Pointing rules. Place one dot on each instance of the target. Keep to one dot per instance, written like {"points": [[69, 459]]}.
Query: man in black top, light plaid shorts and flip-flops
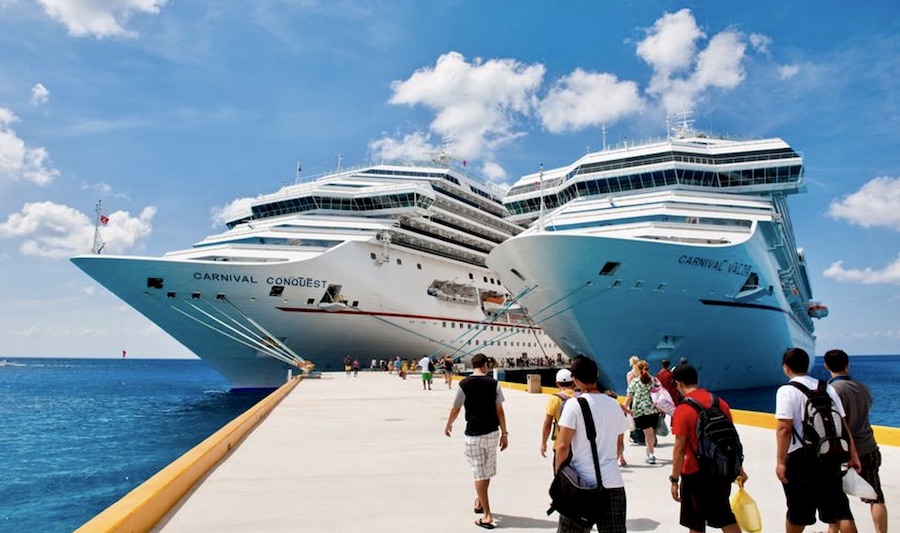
{"points": [[482, 399]]}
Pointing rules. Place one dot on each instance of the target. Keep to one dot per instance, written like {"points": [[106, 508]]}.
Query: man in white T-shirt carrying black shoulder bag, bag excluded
{"points": [[610, 422]]}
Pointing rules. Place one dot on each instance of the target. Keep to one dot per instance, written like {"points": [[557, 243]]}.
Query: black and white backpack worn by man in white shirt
{"points": [[823, 438]]}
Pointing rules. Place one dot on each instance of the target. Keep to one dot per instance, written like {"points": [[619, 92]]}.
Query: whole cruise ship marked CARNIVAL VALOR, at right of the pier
{"points": [[678, 248]]}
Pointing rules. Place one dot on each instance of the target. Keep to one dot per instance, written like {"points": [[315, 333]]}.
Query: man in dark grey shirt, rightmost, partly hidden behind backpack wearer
{"points": [[857, 401]]}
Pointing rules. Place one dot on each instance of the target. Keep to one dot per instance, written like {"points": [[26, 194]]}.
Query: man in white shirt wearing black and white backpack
{"points": [[812, 443]]}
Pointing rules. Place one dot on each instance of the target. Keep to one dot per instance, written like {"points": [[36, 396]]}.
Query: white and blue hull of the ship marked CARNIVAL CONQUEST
{"points": [[210, 308]]}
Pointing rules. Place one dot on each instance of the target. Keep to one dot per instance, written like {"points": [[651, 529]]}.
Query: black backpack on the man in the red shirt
{"points": [[719, 451]]}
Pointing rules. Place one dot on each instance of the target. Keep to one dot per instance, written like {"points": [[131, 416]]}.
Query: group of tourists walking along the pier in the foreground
{"points": [[707, 454]]}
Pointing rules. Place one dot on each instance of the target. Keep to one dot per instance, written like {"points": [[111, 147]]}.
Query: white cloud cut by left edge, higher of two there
{"points": [[19, 161]]}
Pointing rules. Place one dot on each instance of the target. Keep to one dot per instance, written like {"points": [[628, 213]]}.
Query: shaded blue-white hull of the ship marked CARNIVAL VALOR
{"points": [[663, 300]]}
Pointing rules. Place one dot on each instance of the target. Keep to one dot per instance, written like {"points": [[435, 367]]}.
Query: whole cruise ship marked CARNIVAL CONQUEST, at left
{"points": [[373, 262]]}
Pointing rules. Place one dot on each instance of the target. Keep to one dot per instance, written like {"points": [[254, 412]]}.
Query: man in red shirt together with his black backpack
{"points": [[707, 457]]}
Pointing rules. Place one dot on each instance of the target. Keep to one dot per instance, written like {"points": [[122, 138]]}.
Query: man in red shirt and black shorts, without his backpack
{"points": [[704, 501]]}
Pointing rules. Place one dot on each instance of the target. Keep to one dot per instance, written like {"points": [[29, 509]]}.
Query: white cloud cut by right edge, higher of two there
{"points": [[877, 203]]}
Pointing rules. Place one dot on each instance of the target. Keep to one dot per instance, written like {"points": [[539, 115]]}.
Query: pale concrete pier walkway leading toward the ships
{"points": [[368, 454]]}
